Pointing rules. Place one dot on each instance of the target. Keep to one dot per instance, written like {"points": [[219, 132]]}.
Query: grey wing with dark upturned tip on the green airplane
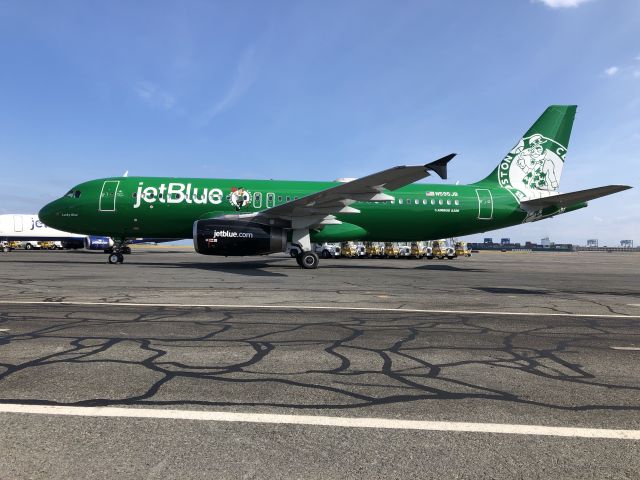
{"points": [[321, 206]]}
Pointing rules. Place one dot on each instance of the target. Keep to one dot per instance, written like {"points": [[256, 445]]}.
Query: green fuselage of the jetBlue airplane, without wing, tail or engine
{"points": [[126, 207]]}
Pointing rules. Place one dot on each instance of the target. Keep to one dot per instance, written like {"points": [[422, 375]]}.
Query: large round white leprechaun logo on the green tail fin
{"points": [[534, 165]]}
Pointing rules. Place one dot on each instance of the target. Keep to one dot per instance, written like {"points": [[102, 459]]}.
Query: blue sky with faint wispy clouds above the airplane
{"points": [[318, 90]]}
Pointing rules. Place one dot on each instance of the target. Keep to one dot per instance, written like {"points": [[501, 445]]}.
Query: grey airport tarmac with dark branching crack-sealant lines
{"points": [[179, 365]]}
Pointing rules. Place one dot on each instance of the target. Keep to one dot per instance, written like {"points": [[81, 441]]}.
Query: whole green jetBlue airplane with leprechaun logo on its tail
{"points": [[258, 217]]}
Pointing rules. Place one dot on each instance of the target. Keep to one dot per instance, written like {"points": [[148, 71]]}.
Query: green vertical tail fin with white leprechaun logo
{"points": [[533, 167]]}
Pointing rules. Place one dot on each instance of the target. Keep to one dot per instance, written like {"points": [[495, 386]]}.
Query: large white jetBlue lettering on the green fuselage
{"points": [[177, 193]]}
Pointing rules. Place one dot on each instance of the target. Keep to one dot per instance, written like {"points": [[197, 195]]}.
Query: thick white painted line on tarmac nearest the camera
{"points": [[323, 421]]}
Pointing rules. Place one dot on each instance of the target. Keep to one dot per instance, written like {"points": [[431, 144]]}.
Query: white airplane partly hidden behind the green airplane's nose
{"points": [[30, 227]]}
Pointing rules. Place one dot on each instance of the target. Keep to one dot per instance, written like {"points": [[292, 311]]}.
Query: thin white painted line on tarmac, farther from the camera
{"points": [[318, 307]]}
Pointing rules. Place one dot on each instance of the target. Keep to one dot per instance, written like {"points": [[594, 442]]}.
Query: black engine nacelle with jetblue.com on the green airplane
{"points": [[232, 237]]}
